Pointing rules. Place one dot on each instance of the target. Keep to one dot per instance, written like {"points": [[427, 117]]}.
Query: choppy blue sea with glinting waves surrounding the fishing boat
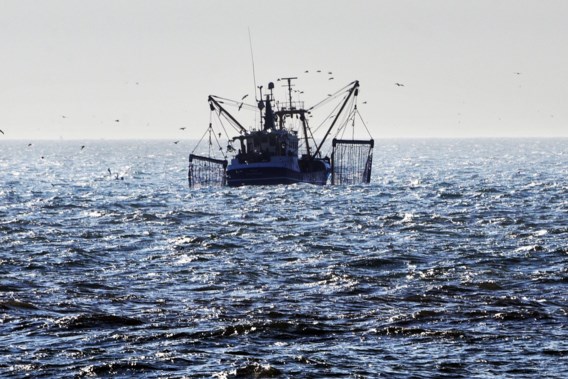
{"points": [[452, 263]]}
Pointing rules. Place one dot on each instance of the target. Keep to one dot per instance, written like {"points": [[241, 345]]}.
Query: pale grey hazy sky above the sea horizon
{"points": [[70, 68]]}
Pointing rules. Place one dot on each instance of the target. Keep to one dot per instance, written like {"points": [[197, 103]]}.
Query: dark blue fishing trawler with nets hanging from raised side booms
{"points": [[282, 147]]}
